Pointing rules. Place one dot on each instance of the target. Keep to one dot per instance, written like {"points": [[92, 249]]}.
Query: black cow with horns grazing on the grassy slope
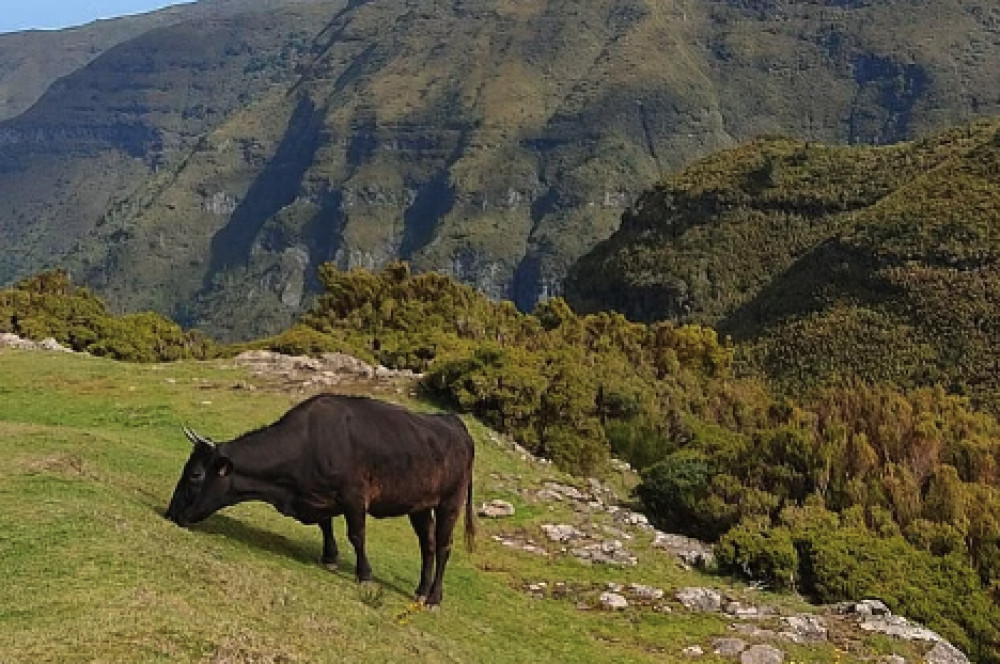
{"points": [[334, 455]]}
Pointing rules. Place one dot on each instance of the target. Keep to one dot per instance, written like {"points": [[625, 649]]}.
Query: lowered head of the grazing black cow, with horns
{"points": [[205, 485]]}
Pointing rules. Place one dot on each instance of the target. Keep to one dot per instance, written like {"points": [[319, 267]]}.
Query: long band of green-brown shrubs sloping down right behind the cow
{"points": [[719, 456]]}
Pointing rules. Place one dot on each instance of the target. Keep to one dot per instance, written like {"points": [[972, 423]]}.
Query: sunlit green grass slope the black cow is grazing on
{"points": [[89, 453]]}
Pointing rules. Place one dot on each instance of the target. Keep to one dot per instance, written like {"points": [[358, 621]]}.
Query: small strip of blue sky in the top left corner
{"points": [[52, 14]]}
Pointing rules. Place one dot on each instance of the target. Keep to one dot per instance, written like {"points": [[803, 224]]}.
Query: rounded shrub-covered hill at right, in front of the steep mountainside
{"points": [[824, 262]]}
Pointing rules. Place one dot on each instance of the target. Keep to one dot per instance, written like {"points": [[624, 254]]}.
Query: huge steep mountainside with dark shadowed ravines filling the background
{"points": [[206, 166]]}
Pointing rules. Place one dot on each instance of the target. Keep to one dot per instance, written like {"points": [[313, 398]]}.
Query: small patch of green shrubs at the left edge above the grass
{"points": [[48, 305]]}
